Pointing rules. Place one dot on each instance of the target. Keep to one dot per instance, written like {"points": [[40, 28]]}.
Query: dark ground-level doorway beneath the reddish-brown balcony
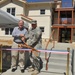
{"points": [[65, 35]]}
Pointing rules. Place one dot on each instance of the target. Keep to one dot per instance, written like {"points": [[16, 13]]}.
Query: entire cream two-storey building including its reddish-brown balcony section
{"points": [[49, 15]]}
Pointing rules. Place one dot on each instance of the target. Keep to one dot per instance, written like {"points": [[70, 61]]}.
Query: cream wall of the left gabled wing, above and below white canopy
{"points": [[19, 10]]}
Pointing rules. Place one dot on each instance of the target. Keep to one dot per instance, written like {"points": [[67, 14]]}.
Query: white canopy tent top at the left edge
{"points": [[8, 20]]}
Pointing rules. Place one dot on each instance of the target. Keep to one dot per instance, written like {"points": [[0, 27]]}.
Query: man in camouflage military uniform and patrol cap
{"points": [[35, 41]]}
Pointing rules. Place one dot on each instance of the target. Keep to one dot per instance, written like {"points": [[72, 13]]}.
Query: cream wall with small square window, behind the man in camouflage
{"points": [[43, 20]]}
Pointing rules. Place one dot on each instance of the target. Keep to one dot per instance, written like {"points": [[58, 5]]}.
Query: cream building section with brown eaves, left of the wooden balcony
{"points": [[40, 11]]}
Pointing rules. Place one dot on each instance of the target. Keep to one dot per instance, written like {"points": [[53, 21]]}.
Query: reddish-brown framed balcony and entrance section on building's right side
{"points": [[63, 22]]}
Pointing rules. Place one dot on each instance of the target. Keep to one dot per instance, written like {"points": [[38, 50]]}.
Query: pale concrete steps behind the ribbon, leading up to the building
{"points": [[57, 62]]}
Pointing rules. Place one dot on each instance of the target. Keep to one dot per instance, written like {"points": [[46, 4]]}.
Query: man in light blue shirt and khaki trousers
{"points": [[18, 33]]}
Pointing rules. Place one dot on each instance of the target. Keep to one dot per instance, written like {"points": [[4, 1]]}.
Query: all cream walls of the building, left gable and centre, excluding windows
{"points": [[32, 11]]}
